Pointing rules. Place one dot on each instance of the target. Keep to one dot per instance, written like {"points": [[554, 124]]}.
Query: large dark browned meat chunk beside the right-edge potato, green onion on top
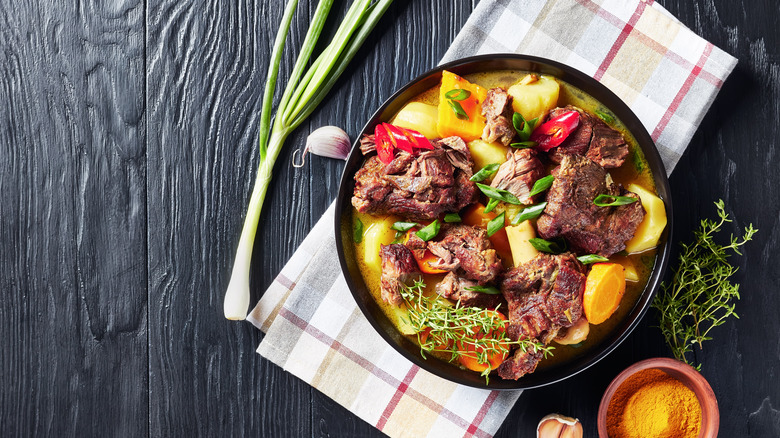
{"points": [[570, 211]]}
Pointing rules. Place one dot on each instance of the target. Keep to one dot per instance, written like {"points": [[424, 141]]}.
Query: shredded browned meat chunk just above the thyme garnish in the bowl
{"points": [[467, 251]]}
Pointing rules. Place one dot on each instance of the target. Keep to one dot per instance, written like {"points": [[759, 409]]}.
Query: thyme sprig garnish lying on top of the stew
{"points": [[446, 328]]}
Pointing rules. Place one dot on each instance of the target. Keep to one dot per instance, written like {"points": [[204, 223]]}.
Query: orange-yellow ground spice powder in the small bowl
{"points": [[653, 404]]}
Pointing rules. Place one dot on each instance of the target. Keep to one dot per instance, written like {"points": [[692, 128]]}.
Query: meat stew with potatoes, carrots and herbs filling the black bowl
{"points": [[505, 221]]}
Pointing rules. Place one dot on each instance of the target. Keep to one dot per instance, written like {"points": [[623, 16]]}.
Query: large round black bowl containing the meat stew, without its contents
{"points": [[344, 233]]}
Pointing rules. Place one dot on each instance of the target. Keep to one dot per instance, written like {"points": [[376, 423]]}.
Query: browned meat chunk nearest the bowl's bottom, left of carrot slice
{"points": [[543, 296]]}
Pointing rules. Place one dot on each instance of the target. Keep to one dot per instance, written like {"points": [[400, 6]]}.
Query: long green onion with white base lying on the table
{"points": [[306, 88]]}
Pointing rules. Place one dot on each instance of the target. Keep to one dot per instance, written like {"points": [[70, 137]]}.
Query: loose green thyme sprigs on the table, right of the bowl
{"points": [[700, 296]]}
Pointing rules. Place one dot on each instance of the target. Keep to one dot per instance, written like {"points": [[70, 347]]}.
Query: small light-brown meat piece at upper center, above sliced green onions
{"points": [[518, 174]]}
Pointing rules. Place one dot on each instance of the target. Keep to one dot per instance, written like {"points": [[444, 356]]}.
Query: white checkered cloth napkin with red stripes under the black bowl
{"points": [[314, 329]]}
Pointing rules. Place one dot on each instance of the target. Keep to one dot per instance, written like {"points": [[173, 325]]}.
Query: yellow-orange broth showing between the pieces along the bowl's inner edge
{"points": [[635, 170]]}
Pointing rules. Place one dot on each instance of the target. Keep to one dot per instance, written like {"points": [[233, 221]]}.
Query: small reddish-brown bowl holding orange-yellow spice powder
{"points": [[710, 417]]}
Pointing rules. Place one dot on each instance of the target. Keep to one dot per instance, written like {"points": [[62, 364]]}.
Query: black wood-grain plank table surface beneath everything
{"points": [[128, 135]]}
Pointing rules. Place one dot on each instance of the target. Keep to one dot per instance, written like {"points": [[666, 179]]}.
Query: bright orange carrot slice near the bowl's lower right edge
{"points": [[604, 288]]}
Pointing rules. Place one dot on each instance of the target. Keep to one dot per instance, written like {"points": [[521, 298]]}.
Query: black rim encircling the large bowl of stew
{"points": [[616, 106]]}
